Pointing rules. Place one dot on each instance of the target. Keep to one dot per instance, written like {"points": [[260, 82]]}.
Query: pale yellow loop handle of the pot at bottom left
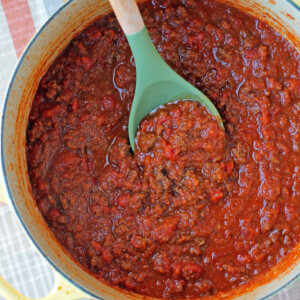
{"points": [[62, 289]]}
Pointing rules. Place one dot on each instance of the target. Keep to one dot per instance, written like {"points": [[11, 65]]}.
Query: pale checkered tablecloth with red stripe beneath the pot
{"points": [[20, 263]]}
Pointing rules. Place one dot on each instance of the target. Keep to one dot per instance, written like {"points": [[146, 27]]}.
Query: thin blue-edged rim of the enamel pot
{"points": [[2, 160]]}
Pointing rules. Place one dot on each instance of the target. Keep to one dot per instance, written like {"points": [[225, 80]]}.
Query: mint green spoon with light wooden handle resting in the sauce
{"points": [[156, 82]]}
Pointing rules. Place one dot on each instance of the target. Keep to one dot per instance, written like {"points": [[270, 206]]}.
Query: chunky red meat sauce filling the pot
{"points": [[196, 211]]}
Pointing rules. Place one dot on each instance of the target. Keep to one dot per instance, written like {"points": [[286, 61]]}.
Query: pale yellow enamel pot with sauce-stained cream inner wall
{"points": [[72, 282]]}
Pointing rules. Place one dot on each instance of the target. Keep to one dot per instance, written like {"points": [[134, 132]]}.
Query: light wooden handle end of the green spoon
{"points": [[128, 15]]}
